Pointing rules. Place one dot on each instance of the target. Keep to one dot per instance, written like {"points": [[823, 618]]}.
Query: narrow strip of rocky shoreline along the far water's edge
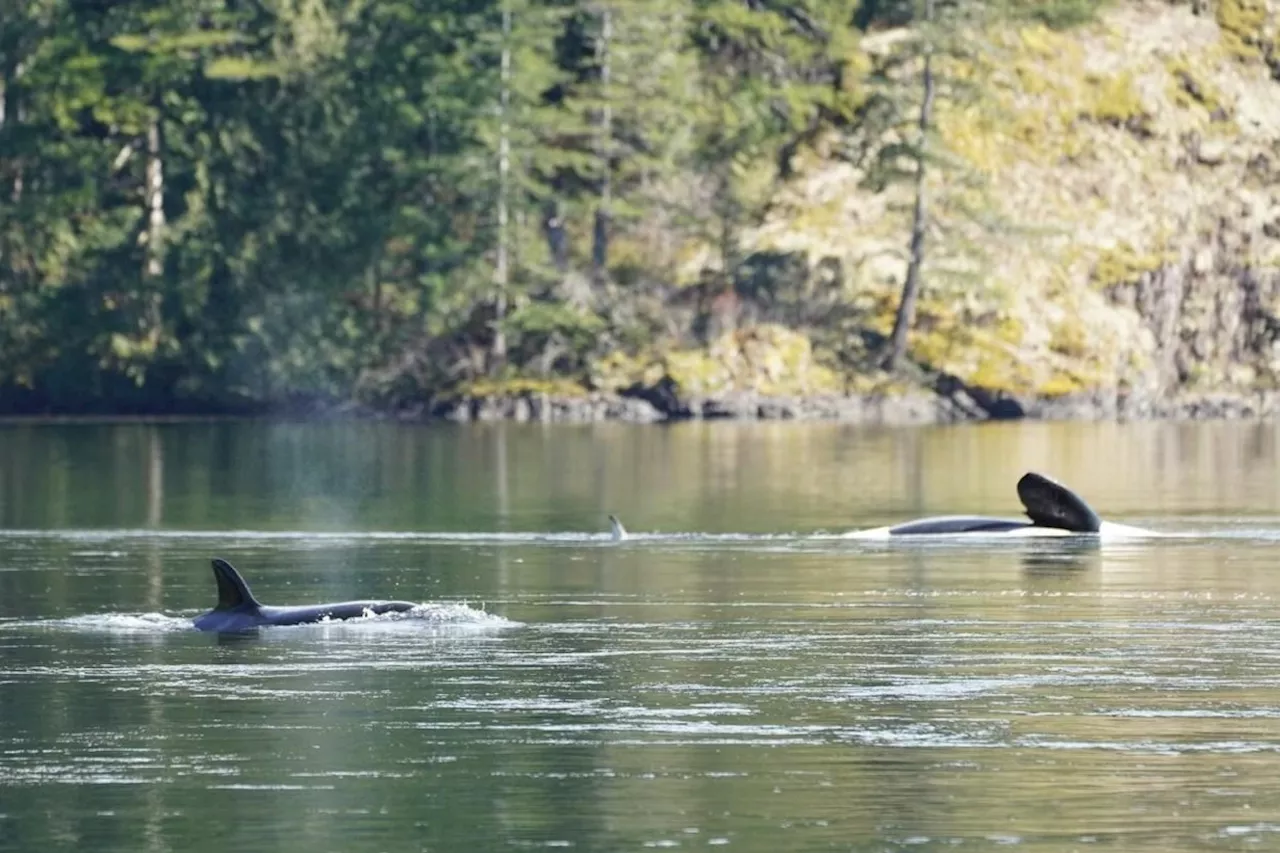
{"points": [[911, 409]]}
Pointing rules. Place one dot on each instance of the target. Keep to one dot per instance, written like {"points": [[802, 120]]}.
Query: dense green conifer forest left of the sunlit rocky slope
{"points": [[230, 204]]}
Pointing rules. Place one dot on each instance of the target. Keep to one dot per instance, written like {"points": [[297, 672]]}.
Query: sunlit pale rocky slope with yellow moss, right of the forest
{"points": [[1137, 161]]}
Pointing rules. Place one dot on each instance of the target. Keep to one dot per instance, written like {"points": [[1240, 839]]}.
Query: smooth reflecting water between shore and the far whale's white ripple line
{"points": [[705, 478]]}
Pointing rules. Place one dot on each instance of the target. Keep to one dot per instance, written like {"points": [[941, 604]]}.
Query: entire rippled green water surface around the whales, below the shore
{"points": [[733, 677]]}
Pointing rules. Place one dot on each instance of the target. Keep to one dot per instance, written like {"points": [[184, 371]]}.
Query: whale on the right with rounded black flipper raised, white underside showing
{"points": [[1053, 510]]}
